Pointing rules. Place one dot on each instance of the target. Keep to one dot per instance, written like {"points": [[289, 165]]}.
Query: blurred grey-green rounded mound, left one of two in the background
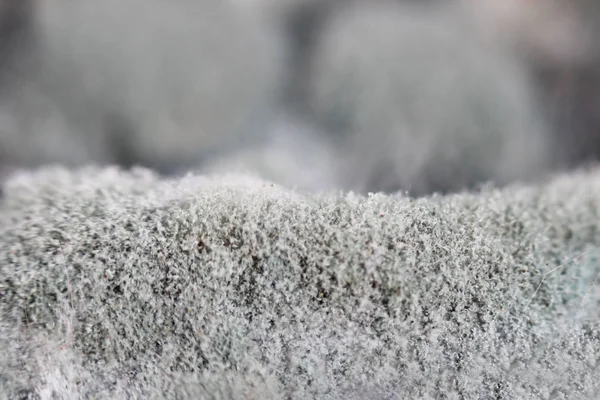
{"points": [[163, 84]]}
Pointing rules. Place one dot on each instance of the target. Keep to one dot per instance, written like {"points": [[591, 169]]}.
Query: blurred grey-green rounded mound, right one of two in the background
{"points": [[420, 102]]}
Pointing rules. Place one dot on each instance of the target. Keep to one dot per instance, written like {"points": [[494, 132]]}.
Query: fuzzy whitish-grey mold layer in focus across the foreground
{"points": [[118, 285]]}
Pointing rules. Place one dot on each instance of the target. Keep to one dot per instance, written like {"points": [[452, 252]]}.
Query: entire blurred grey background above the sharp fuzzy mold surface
{"points": [[416, 96]]}
